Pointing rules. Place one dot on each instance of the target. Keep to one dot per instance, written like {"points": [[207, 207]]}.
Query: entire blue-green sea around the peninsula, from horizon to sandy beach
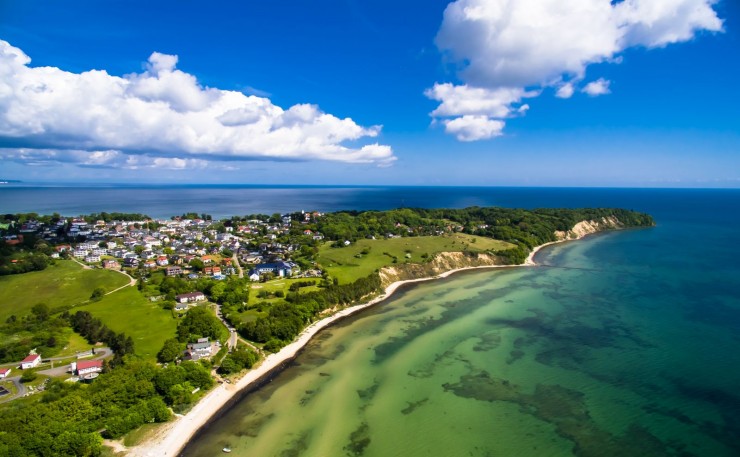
{"points": [[624, 343]]}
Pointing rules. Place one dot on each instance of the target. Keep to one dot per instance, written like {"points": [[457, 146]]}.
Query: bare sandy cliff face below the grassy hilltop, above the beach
{"points": [[441, 263]]}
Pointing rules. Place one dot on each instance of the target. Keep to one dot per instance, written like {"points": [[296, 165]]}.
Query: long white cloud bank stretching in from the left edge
{"points": [[161, 117]]}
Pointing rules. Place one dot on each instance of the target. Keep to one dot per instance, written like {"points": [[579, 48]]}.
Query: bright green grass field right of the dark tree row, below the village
{"points": [[130, 312]]}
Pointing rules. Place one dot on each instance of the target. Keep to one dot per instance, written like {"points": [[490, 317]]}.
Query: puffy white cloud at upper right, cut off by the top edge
{"points": [[507, 50]]}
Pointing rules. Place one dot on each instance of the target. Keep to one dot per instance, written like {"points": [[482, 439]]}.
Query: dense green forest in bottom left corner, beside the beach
{"points": [[69, 418]]}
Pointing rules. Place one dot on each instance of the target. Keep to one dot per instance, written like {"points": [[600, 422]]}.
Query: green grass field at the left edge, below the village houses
{"points": [[63, 284]]}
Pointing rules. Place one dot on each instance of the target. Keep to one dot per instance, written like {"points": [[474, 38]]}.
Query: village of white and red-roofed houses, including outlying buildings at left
{"points": [[190, 249]]}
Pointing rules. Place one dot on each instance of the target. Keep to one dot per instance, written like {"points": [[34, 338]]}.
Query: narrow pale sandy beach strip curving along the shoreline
{"points": [[173, 437]]}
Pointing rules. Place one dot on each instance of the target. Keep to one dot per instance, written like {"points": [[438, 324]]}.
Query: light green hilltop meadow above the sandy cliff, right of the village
{"points": [[349, 263]]}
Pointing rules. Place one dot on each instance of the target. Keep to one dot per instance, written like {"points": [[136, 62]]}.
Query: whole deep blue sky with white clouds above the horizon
{"points": [[472, 92]]}
